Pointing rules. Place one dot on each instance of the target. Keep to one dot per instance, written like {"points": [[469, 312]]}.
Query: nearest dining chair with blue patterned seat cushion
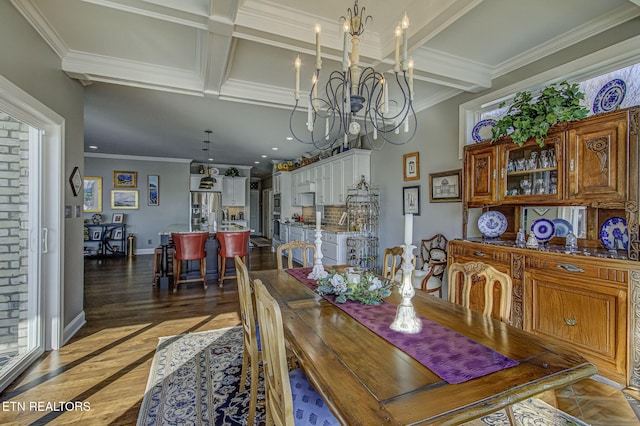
{"points": [[286, 392]]}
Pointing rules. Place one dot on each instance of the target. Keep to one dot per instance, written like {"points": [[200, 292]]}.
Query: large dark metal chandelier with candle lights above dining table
{"points": [[356, 100]]}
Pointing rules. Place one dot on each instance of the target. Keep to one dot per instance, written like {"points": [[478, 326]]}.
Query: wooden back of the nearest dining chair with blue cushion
{"points": [[279, 403]]}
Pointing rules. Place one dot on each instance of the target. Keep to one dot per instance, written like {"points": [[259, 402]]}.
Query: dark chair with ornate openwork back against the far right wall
{"points": [[433, 258]]}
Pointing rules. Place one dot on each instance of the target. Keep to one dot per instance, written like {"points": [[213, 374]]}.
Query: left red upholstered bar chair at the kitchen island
{"points": [[190, 246]]}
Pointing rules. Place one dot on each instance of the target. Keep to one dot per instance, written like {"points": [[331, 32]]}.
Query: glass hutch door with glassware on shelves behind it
{"points": [[533, 171]]}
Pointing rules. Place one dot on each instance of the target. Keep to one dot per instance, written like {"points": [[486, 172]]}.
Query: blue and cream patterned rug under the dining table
{"points": [[194, 380]]}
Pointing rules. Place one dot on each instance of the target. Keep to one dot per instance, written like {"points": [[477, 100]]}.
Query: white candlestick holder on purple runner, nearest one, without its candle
{"points": [[406, 320]]}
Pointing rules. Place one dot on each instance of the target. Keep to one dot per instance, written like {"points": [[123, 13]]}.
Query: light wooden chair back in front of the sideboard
{"points": [[463, 276]]}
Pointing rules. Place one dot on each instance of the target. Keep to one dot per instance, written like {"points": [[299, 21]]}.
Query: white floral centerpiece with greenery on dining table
{"points": [[366, 288]]}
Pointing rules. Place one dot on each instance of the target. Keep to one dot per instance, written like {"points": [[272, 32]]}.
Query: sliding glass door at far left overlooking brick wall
{"points": [[21, 319]]}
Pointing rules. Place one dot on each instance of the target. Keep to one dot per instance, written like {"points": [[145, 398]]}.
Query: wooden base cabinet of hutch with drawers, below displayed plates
{"points": [[578, 301]]}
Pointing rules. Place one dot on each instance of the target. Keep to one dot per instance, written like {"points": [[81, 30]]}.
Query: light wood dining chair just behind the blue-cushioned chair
{"points": [[252, 350]]}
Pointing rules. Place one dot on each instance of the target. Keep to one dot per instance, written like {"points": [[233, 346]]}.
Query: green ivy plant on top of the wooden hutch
{"points": [[532, 117]]}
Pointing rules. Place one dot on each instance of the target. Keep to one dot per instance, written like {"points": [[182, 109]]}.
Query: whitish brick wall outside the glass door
{"points": [[14, 203]]}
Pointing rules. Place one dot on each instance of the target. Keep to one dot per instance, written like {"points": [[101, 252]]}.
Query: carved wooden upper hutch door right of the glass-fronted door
{"points": [[597, 161]]}
